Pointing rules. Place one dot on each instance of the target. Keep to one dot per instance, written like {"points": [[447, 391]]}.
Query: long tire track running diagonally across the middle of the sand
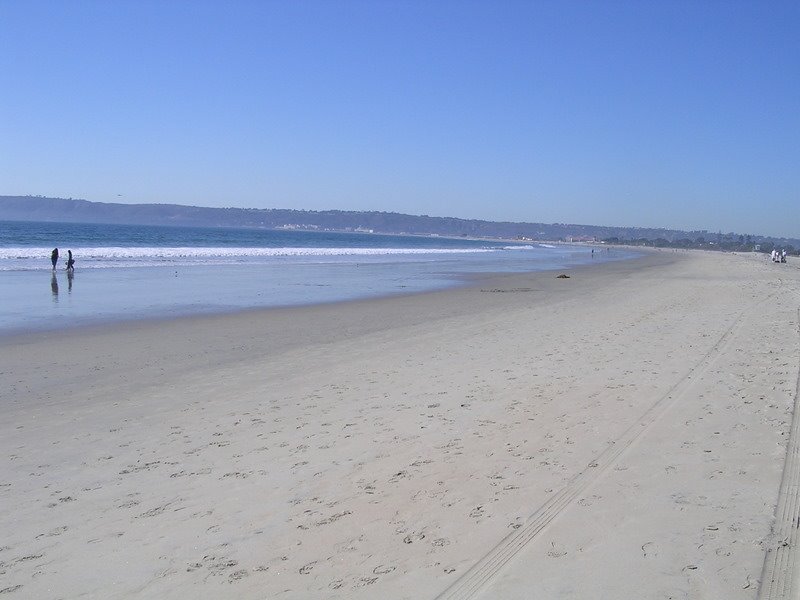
{"points": [[476, 578]]}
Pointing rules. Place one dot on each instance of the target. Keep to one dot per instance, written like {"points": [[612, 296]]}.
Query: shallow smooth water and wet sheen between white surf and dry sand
{"points": [[48, 301]]}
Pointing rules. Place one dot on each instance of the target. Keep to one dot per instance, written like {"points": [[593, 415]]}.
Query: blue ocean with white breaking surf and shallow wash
{"points": [[125, 272]]}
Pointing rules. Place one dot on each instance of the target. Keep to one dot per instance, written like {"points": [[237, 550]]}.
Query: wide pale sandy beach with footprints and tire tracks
{"points": [[621, 433]]}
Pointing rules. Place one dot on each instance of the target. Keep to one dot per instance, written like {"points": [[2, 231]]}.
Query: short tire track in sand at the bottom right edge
{"points": [[779, 577]]}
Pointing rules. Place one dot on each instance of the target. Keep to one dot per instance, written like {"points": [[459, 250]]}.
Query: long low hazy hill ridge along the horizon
{"points": [[37, 208]]}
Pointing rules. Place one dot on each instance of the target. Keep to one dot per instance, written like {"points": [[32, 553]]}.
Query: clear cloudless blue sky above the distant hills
{"points": [[678, 114]]}
